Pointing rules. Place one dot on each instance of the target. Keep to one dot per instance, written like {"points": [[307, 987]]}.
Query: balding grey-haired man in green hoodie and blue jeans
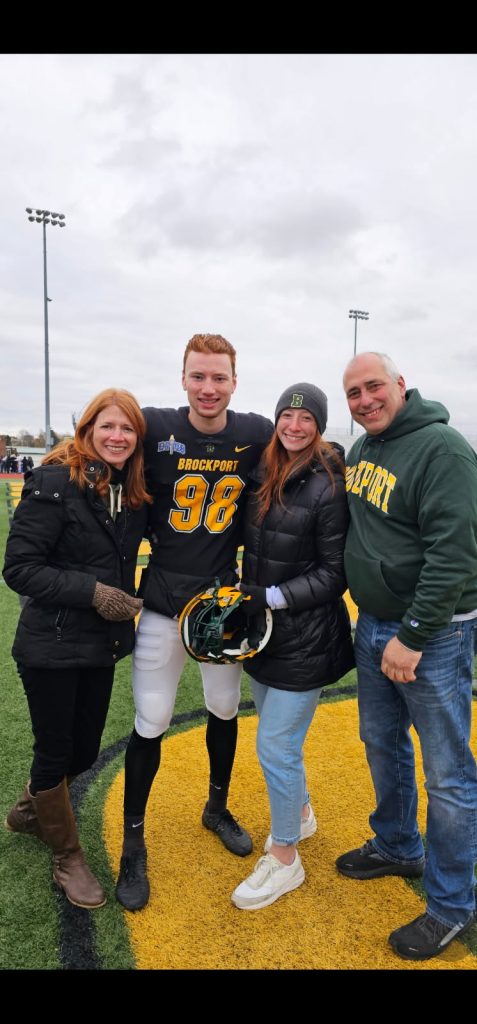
{"points": [[412, 567]]}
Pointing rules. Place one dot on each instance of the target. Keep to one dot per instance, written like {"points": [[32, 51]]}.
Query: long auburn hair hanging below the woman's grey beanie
{"points": [[279, 468]]}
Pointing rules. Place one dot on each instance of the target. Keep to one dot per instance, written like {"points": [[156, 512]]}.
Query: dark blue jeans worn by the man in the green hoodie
{"points": [[439, 705]]}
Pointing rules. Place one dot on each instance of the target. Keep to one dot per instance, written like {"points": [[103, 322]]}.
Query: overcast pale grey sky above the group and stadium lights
{"points": [[259, 197]]}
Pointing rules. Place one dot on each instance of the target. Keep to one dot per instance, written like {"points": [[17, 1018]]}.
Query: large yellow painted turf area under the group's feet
{"points": [[329, 923]]}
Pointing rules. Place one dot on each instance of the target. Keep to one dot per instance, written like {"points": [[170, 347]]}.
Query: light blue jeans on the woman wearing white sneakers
{"points": [[285, 718]]}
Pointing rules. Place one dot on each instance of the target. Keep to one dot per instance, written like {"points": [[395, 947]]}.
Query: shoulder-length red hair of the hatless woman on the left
{"points": [[77, 454]]}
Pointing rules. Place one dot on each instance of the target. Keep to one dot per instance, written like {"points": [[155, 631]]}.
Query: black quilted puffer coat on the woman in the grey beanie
{"points": [[299, 548]]}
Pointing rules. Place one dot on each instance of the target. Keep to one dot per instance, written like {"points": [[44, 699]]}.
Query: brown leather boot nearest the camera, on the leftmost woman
{"points": [[59, 830]]}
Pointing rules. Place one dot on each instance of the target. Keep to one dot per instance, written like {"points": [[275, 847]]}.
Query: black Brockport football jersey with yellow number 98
{"points": [[198, 483]]}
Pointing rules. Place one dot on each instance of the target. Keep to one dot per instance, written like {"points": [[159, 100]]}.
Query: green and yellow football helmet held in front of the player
{"points": [[214, 627]]}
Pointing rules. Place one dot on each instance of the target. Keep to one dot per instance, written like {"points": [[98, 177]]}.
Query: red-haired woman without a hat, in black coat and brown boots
{"points": [[72, 553]]}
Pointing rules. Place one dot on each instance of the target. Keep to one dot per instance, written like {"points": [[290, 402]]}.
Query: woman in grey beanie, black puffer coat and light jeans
{"points": [[296, 526]]}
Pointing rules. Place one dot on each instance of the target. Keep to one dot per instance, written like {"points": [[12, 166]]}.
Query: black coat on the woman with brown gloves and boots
{"points": [[63, 541]]}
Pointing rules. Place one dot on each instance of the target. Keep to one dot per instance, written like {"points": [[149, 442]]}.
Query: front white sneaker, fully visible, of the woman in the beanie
{"points": [[269, 882]]}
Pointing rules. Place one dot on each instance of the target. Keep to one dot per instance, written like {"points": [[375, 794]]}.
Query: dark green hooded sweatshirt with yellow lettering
{"points": [[412, 547]]}
